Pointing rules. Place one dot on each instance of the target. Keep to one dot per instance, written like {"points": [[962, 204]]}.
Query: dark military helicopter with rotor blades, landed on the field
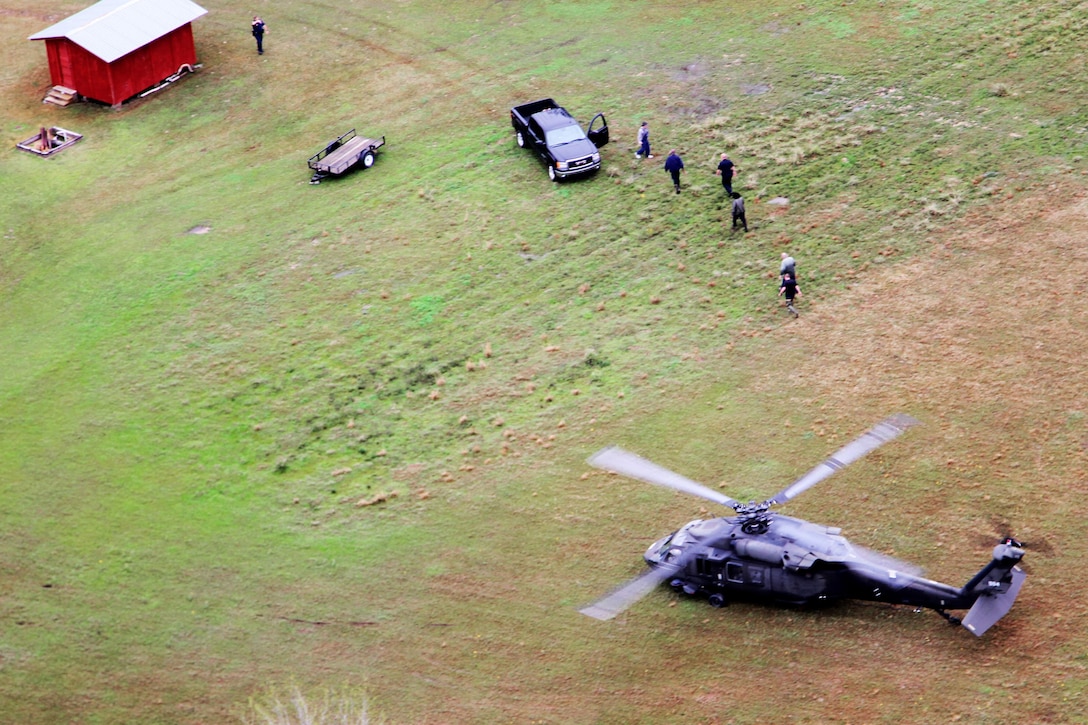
{"points": [[760, 556]]}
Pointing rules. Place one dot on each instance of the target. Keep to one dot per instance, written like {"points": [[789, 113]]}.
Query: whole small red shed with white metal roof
{"points": [[118, 48]]}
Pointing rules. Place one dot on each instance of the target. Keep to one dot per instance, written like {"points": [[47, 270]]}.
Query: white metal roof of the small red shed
{"points": [[113, 29]]}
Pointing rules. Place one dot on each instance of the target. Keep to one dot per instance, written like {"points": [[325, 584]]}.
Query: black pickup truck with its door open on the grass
{"points": [[548, 128]]}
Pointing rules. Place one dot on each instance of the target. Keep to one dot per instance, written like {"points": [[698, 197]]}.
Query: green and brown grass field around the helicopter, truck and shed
{"points": [[337, 439]]}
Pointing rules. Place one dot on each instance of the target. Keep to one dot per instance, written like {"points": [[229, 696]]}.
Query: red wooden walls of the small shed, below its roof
{"points": [[113, 83]]}
